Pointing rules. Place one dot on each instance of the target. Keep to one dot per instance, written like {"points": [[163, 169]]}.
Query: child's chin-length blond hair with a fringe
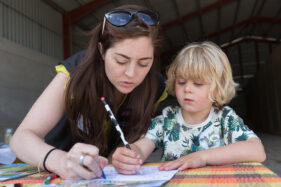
{"points": [[204, 61]]}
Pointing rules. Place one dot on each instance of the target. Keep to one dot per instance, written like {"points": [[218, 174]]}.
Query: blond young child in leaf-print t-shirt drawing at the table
{"points": [[202, 131]]}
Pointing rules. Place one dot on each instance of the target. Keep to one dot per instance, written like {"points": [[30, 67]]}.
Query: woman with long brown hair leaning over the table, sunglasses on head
{"points": [[119, 65]]}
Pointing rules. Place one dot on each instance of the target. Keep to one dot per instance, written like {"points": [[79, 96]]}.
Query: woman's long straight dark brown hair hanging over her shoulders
{"points": [[88, 83]]}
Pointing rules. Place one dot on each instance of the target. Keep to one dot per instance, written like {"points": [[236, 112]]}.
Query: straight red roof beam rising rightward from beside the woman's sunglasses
{"points": [[196, 13]]}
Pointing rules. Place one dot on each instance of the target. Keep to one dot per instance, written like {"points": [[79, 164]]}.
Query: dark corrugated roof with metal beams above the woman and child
{"points": [[221, 21]]}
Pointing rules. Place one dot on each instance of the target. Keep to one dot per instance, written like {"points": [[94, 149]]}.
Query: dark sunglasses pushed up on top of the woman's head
{"points": [[123, 17]]}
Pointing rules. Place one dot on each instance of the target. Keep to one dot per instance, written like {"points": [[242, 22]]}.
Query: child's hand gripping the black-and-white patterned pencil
{"points": [[126, 161]]}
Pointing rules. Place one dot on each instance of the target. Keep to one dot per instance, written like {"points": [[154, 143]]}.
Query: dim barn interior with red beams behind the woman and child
{"points": [[35, 35]]}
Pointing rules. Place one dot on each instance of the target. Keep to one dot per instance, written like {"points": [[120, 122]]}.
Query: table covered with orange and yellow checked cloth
{"points": [[241, 174]]}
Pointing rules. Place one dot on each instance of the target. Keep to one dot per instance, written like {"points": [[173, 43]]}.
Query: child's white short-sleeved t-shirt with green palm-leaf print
{"points": [[170, 131]]}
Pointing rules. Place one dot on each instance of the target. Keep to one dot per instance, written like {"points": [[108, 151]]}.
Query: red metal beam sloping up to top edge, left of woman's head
{"points": [[84, 10]]}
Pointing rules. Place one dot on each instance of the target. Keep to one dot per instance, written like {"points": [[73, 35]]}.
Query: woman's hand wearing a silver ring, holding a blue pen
{"points": [[73, 166]]}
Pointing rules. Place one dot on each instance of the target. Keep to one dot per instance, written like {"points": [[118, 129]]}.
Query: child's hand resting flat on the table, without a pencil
{"points": [[193, 160]]}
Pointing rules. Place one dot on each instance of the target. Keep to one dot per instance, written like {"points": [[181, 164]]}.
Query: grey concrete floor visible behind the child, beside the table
{"points": [[272, 148]]}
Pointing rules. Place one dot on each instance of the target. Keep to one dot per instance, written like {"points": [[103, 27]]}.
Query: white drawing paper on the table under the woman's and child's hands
{"points": [[151, 177]]}
